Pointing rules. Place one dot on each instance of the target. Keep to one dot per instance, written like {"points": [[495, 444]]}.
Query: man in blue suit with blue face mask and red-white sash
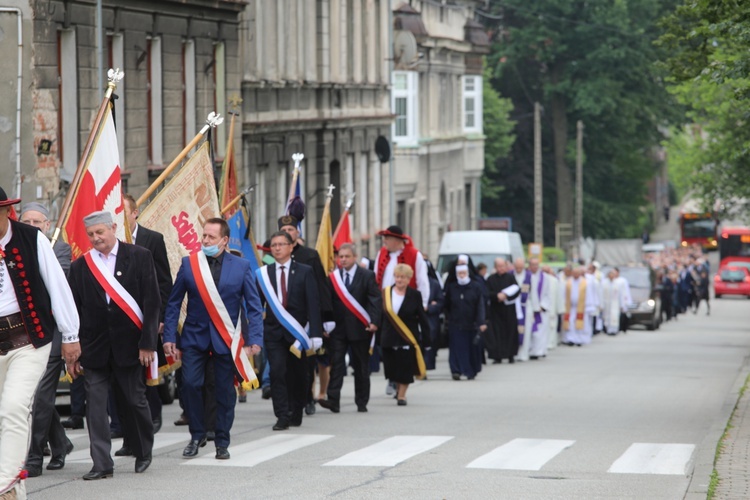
{"points": [[218, 285]]}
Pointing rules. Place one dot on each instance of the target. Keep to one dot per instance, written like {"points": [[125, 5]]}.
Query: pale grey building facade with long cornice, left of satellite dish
{"points": [[316, 76]]}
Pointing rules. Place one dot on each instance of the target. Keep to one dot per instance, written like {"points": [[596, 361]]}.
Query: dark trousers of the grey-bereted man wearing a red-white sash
{"points": [[129, 387]]}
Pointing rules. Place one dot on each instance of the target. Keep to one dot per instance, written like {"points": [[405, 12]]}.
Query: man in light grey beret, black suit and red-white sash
{"points": [[117, 296]]}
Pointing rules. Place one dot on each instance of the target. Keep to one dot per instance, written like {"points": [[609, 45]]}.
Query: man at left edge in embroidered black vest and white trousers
{"points": [[32, 284]]}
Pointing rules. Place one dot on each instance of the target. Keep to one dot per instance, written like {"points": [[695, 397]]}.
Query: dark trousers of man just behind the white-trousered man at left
{"points": [[45, 424]]}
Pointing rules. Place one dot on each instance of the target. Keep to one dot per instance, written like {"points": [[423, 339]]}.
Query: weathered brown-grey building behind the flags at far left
{"points": [[180, 62]]}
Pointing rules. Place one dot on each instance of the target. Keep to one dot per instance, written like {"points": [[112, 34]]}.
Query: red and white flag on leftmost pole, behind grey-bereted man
{"points": [[100, 187]]}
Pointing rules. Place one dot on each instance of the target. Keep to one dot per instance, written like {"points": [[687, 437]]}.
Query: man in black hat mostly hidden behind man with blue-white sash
{"points": [[310, 257]]}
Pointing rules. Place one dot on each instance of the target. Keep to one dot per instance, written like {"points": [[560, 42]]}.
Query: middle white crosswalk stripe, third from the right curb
{"points": [[391, 451]]}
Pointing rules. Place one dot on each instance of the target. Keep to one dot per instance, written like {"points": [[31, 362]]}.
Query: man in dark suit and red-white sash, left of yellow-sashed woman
{"points": [[351, 332]]}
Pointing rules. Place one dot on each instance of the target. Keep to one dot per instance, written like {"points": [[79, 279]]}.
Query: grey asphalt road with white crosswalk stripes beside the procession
{"points": [[626, 417]]}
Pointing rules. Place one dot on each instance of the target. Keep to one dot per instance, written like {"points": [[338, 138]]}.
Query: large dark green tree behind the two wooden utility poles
{"points": [[591, 61]]}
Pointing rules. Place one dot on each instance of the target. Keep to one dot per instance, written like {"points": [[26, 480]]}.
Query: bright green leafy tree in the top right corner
{"points": [[709, 64]]}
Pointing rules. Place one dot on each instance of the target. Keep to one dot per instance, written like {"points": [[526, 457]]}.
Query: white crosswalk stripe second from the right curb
{"points": [[522, 454]]}
